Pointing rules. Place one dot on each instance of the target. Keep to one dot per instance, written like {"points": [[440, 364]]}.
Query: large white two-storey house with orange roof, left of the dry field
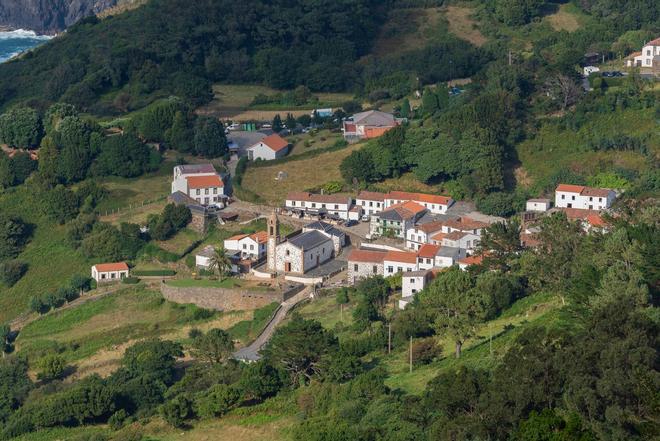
{"points": [[200, 182]]}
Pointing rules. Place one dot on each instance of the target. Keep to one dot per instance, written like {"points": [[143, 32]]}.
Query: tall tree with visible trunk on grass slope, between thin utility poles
{"points": [[455, 312]]}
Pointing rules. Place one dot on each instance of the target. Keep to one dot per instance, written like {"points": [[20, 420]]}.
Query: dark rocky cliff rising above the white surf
{"points": [[48, 16]]}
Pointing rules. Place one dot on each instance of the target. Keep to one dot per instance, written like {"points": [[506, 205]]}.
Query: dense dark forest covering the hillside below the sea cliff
{"points": [[96, 56]]}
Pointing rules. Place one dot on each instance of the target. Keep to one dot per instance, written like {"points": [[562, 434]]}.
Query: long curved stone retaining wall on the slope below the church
{"points": [[221, 299]]}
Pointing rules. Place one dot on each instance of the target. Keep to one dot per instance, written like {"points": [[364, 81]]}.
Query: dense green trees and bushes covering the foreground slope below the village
{"points": [[586, 372]]}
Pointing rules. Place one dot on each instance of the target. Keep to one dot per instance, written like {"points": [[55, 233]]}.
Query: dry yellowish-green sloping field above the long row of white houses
{"points": [[302, 174]]}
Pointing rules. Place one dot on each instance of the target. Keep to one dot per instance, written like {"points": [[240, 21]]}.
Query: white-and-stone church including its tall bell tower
{"points": [[314, 246]]}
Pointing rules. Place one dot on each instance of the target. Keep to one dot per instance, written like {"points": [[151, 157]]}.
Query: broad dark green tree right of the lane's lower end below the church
{"points": [[299, 348]]}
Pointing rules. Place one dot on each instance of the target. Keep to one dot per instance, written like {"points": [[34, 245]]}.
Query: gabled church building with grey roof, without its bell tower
{"points": [[304, 252]]}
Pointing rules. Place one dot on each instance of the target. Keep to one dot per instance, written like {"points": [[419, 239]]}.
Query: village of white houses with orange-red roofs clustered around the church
{"points": [[340, 239]]}
